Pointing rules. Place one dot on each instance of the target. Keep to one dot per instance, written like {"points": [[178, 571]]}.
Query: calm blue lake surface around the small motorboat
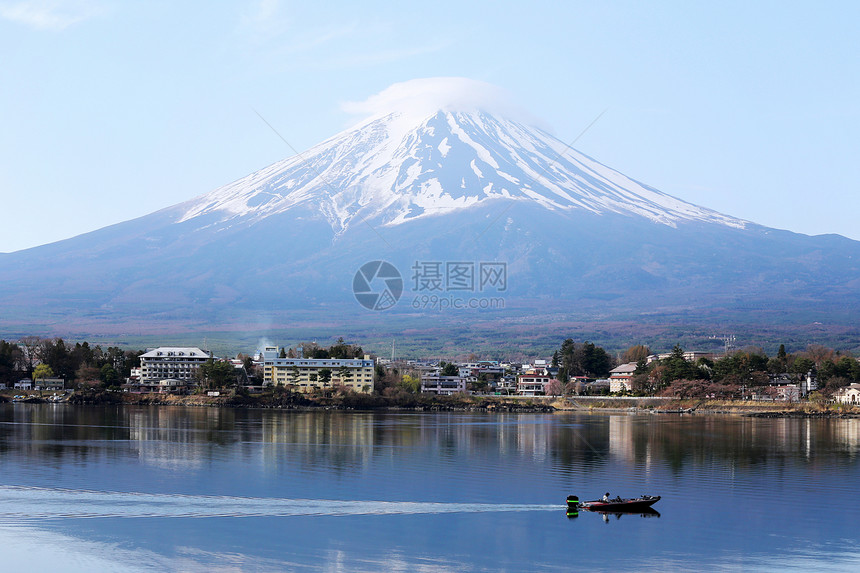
{"points": [[205, 489]]}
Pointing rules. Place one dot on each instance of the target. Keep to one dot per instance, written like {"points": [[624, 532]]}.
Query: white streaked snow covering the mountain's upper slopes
{"points": [[434, 159]]}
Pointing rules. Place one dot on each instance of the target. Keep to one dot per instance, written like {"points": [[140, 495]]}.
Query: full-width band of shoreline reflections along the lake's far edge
{"points": [[342, 443]]}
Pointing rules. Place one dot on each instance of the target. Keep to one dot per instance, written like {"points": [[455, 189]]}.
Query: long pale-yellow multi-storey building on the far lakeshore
{"points": [[310, 374]]}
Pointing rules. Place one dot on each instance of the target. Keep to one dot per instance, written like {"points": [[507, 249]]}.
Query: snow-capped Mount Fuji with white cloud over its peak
{"points": [[436, 178]]}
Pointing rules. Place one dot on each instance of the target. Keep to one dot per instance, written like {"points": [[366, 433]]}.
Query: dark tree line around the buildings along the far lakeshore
{"points": [[96, 373]]}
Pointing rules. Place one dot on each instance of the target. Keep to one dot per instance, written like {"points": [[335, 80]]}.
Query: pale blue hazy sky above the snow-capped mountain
{"points": [[110, 110]]}
